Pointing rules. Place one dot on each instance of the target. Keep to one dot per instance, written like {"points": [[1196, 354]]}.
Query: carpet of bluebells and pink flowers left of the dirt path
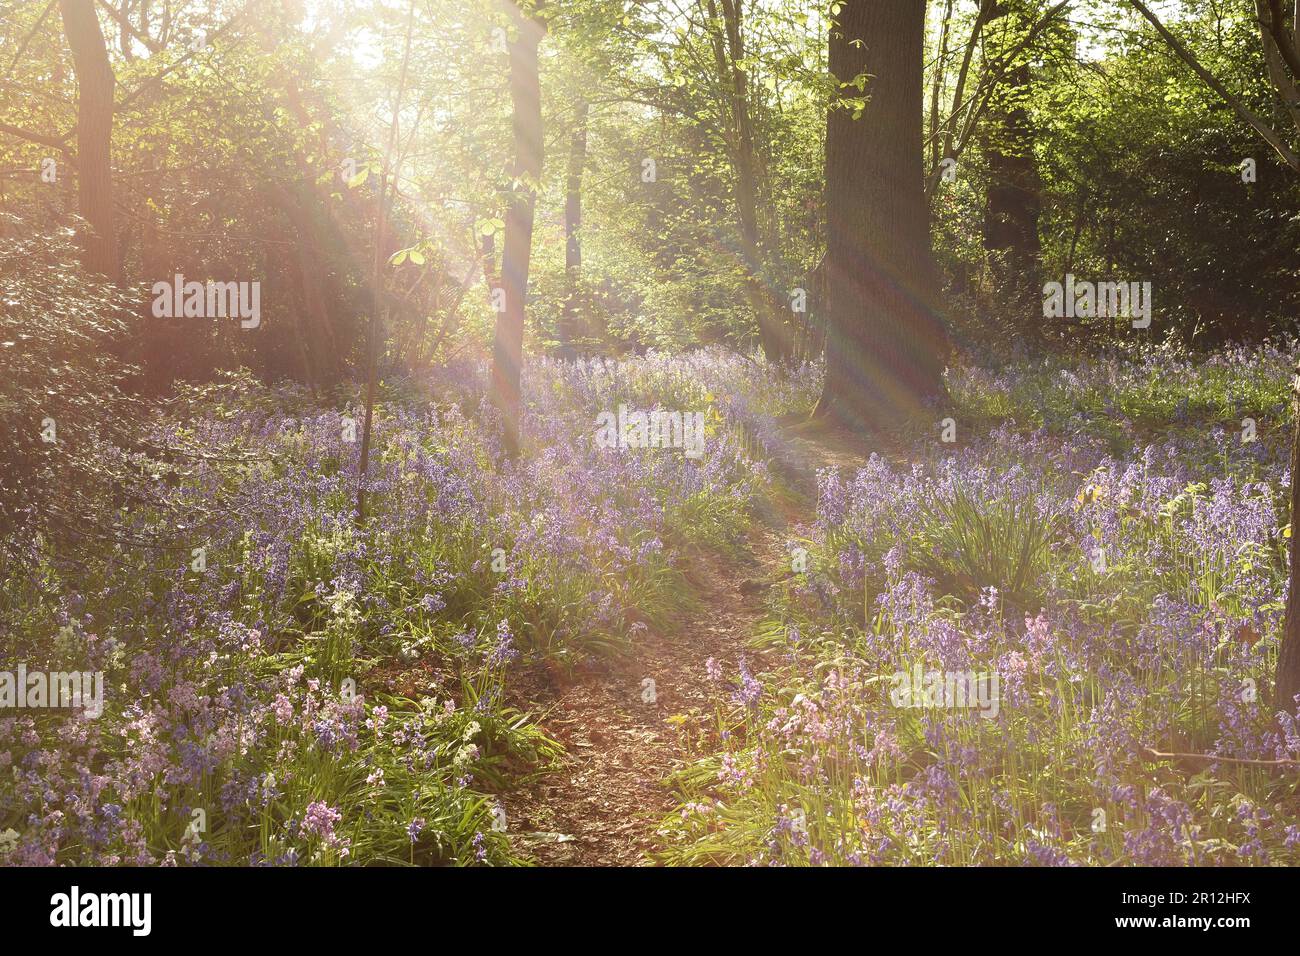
{"points": [[246, 691]]}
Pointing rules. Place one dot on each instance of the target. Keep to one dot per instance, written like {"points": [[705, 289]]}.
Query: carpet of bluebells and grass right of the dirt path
{"points": [[1147, 618]]}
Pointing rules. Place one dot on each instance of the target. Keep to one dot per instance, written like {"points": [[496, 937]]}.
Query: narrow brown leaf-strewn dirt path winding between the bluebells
{"points": [[605, 804]]}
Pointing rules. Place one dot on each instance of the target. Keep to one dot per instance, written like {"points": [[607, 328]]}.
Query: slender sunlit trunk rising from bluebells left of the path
{"points": [[527, 124]]}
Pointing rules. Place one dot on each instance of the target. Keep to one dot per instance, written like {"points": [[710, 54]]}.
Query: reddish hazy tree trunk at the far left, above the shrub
{"points": [[94, 137]]}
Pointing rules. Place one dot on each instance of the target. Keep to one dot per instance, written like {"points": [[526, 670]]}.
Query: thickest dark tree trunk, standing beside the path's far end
{"points": [[886, 343]]}
